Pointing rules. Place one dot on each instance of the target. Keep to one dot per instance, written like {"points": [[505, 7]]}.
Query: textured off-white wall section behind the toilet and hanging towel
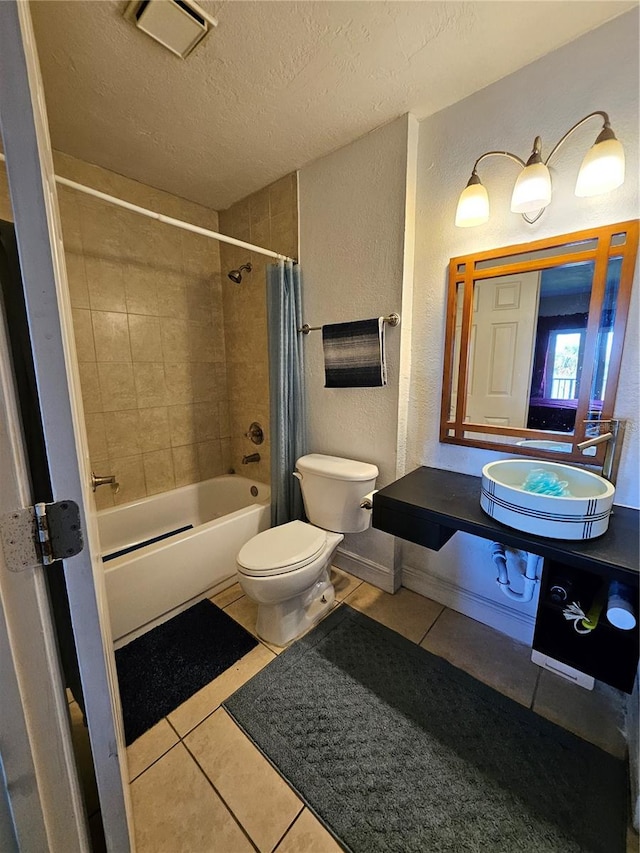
{"points": [[353, 217]]}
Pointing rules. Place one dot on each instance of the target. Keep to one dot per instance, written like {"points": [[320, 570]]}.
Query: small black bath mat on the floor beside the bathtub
{"points": [[163, 668]]}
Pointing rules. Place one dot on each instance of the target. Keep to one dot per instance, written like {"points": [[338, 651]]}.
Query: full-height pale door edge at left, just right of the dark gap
{"points": [[29, 162]]}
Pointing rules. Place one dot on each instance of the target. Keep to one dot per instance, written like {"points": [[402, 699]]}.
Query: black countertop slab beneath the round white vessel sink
{"points": [[429, 505]]}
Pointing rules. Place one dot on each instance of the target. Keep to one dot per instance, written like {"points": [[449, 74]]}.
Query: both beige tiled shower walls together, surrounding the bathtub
{"points": [[172, 355]]}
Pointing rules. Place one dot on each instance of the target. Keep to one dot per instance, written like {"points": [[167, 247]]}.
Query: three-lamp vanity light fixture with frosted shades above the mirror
{"points": [[602, 170]]}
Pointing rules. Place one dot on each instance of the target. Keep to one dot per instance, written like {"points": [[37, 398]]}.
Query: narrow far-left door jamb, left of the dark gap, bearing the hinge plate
{"points": [[40, 779]]}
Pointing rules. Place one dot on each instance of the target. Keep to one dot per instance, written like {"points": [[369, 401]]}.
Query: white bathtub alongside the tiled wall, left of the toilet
{"points": [[154, 579]]}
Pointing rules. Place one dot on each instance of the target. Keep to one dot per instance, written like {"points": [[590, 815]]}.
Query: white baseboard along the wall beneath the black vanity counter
{"points": [[500, 616]]}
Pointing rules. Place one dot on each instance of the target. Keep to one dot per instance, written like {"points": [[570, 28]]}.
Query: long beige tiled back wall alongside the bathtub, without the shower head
{"points": [[148, 320]]}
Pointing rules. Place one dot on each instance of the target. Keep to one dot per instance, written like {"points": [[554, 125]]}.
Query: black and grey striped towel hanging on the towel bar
{"points": [[354, 354]]}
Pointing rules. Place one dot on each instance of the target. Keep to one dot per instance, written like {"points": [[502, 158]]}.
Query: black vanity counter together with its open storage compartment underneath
{"points": [[429, 505]]}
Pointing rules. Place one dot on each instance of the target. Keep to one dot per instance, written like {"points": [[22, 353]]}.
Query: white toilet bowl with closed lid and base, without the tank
{"points": [[286, 571]]}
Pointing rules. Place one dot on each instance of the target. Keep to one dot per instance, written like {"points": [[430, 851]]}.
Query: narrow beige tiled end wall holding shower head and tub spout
{"points": [[267, 218]]}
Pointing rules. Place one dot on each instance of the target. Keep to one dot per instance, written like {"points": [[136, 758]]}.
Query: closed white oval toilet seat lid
{"points": [[281, 549]]}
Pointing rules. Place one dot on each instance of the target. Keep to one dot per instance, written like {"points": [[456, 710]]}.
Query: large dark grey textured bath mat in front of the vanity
{"points": [[394, 749]]}
